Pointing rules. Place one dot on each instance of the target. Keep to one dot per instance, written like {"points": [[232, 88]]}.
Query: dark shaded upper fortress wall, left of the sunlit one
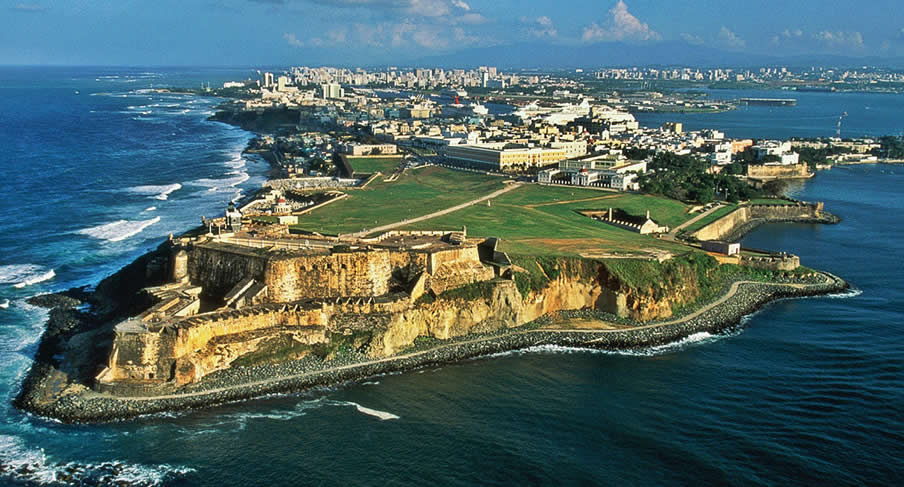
{"points": [[217, 268]]}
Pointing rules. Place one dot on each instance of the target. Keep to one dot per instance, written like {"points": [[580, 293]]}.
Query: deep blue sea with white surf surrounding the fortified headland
{"points": [[806, 392]]}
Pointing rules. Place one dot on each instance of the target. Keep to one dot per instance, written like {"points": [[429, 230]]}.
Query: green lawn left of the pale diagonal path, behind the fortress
{"points": [[414, 194]]}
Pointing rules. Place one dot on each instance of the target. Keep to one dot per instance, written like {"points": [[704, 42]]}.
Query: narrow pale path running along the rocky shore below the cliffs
{"points": [[731, 292]]}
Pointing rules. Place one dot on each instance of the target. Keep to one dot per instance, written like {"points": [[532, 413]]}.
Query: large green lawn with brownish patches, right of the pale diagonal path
{"points": [[534, 220]]}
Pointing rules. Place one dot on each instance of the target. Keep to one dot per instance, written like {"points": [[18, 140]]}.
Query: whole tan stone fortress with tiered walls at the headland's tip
{"points": [[230, 289]]}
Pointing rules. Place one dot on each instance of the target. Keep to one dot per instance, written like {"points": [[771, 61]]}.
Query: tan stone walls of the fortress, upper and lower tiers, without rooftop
{"points": [[310, 295]]}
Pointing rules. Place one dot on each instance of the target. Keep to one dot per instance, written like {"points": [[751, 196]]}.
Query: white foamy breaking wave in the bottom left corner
{"points": [[20, 463]]}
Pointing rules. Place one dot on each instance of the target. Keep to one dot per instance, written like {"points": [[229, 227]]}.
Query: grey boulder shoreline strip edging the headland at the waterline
{"points": [[82, 405]]}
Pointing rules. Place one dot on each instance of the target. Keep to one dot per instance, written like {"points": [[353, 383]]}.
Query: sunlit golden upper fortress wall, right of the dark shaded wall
{"points": [[329, 276]]}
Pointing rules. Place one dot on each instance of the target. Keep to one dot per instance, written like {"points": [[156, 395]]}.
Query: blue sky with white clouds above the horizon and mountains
{"points": [[370, 32]]}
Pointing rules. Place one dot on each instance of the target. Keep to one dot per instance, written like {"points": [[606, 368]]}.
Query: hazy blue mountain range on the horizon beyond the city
{"points": [[665, 53]]}
